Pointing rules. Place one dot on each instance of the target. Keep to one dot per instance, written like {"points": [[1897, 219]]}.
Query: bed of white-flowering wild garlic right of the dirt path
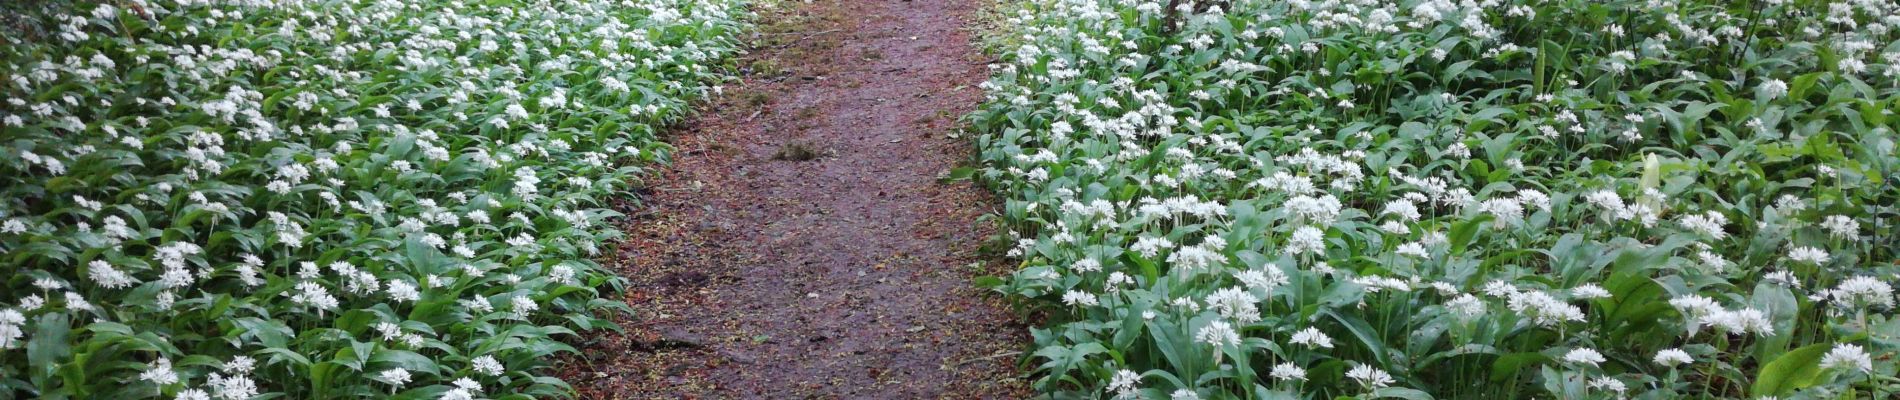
{"points": [[1453, 198]]}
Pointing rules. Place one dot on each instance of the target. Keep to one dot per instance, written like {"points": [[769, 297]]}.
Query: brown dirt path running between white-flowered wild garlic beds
{"points": [[801, 245]]}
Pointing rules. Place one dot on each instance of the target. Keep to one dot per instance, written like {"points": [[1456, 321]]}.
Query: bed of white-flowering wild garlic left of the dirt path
{"points": [[326, 198]]}
